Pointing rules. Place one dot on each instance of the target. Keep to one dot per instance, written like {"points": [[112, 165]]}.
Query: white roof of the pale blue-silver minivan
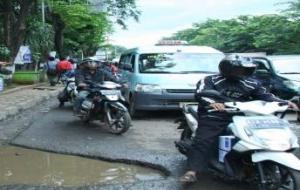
{"points": [[173, 49]]}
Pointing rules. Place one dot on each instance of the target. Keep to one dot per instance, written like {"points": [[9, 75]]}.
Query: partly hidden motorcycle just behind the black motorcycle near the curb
{"points": [[69, 93]]}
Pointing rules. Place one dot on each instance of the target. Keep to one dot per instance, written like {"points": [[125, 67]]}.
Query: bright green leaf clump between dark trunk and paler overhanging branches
{"points": [[84, 29]]}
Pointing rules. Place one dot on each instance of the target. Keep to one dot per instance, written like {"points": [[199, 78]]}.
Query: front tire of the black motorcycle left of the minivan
{"points": [[120, 126]]}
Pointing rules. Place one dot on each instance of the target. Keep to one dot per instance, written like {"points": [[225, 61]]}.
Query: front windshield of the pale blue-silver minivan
{"points": [[179, 62]]}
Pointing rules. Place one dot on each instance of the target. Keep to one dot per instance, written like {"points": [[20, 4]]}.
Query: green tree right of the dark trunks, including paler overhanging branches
{"points": [[84, 25]]}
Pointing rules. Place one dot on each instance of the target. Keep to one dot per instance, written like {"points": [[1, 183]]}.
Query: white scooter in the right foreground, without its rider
{"points": [[258, 147]]}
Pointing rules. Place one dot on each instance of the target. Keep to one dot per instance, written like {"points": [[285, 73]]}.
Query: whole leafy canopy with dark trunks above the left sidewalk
{"points": [[71, 26]]}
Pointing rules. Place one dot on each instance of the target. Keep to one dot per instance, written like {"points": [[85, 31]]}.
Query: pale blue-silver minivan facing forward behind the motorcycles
{"points": [[163, 77]]}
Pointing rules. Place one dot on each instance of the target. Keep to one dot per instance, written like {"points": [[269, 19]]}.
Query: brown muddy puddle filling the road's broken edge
{"points": [[32, 167]]}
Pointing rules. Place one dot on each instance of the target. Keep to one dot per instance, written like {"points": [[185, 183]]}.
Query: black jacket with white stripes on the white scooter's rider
{"points": [[239, 90]]}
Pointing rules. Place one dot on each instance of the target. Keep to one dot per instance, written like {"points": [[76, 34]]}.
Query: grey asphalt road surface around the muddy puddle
{"points": [[149, 142]]}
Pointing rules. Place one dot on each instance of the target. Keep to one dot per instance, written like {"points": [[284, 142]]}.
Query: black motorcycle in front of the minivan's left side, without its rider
{"points": [[106, 103]]}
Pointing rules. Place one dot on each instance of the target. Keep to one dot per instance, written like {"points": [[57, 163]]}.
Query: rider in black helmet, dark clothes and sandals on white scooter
{"points": [[233, 81]]}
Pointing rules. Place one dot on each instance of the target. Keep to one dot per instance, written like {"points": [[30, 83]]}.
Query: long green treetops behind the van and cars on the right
{"points": [[268, 33]]}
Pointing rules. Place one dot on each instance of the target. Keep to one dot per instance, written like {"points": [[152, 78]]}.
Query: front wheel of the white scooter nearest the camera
{"points": [[279, 177]]}
